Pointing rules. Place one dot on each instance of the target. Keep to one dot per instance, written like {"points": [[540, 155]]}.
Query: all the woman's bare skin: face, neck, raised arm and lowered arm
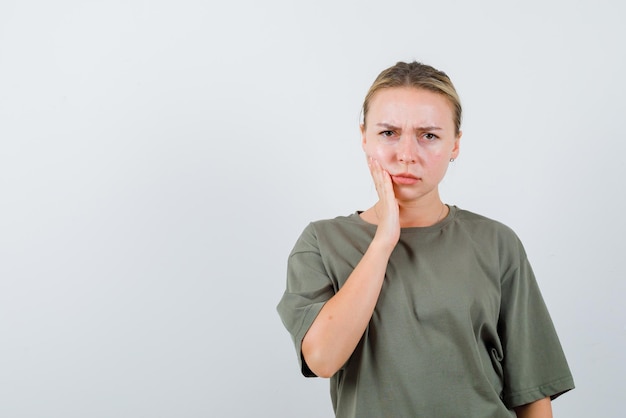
{"points": [[409, 138]]}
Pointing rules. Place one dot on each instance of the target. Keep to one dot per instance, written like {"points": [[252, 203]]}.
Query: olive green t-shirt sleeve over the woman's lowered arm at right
{"points": [[534, 364]]}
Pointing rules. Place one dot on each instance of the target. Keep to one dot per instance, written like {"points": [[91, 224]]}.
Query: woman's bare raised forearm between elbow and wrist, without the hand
{"points": [[340, 324]]}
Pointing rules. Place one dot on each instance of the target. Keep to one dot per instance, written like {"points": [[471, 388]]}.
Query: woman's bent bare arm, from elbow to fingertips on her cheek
{"points": [[336, 331]]}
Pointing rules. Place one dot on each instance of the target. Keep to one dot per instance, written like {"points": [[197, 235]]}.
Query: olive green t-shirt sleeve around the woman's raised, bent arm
{"points": [[308, 289]]}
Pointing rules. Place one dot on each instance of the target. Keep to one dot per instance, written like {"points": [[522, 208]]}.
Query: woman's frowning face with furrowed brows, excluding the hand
{"points": [[411, 133]]}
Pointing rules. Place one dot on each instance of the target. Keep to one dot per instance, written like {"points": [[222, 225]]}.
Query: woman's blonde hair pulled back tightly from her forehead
{"points": [[418, 75]]}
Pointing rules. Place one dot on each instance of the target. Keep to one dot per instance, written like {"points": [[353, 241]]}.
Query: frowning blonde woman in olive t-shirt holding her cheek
{"points": [[415, 308]]}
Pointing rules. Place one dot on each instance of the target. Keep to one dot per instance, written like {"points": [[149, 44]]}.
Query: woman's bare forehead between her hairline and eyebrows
{"points": [[410, 104]]}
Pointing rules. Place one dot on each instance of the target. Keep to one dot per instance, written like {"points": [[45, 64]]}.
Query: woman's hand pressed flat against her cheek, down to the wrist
{"points": [[387, 209]]}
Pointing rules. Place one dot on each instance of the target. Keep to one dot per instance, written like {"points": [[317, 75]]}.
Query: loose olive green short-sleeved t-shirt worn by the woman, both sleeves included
{"points": [[459, 330]]}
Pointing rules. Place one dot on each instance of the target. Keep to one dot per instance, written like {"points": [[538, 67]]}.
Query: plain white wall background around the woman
{"points": [[159, 159]]}
